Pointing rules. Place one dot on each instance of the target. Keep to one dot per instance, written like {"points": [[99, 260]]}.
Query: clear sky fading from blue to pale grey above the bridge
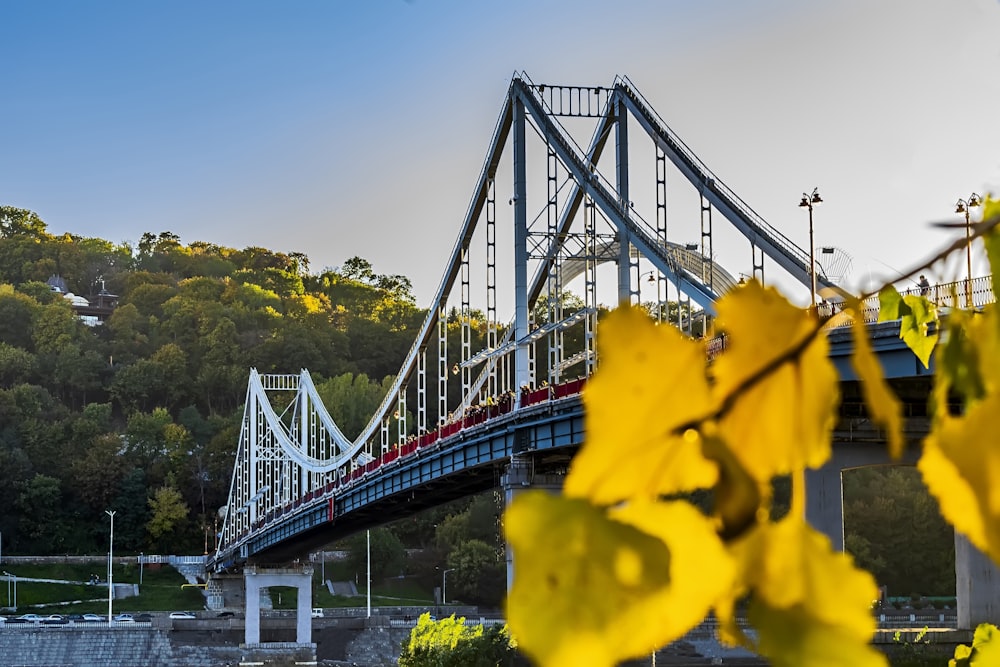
{"points": [[359, 128]]}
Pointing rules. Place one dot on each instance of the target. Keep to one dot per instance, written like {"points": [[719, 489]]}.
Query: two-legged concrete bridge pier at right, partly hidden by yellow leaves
{"points": [[977, 578]]}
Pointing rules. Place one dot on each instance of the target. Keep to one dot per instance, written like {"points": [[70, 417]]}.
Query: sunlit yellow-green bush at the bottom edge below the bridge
{"points": [[450, 643]]}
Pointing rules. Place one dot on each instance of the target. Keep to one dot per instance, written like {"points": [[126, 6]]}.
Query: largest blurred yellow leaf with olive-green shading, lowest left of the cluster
{"points": [[594, 588]]}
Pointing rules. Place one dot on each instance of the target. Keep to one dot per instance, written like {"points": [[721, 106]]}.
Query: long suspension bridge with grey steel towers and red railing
{"points": [[459, 420]]}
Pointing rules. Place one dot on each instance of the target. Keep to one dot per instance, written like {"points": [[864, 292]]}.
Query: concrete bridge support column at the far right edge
{"points": [[977, 585]]}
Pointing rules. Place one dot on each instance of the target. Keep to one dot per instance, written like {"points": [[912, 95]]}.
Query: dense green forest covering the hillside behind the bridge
{"points": [[141, 413]]}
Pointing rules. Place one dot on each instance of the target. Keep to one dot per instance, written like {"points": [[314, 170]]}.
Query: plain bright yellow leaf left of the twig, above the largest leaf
{"points": [[650, 382]]}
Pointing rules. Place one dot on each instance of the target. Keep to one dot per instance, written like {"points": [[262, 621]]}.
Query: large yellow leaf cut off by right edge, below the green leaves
{"points": [[960, 465]]}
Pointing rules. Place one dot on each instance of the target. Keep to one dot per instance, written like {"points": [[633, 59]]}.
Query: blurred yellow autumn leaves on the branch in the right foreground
{"points": [[619, 548]]}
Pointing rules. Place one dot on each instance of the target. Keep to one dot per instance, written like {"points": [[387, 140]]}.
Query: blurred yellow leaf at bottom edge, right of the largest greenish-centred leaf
{"points": [[809, 603]]}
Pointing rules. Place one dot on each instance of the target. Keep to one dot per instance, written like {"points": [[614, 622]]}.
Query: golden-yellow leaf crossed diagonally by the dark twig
{"points": [[783, 422]]}
